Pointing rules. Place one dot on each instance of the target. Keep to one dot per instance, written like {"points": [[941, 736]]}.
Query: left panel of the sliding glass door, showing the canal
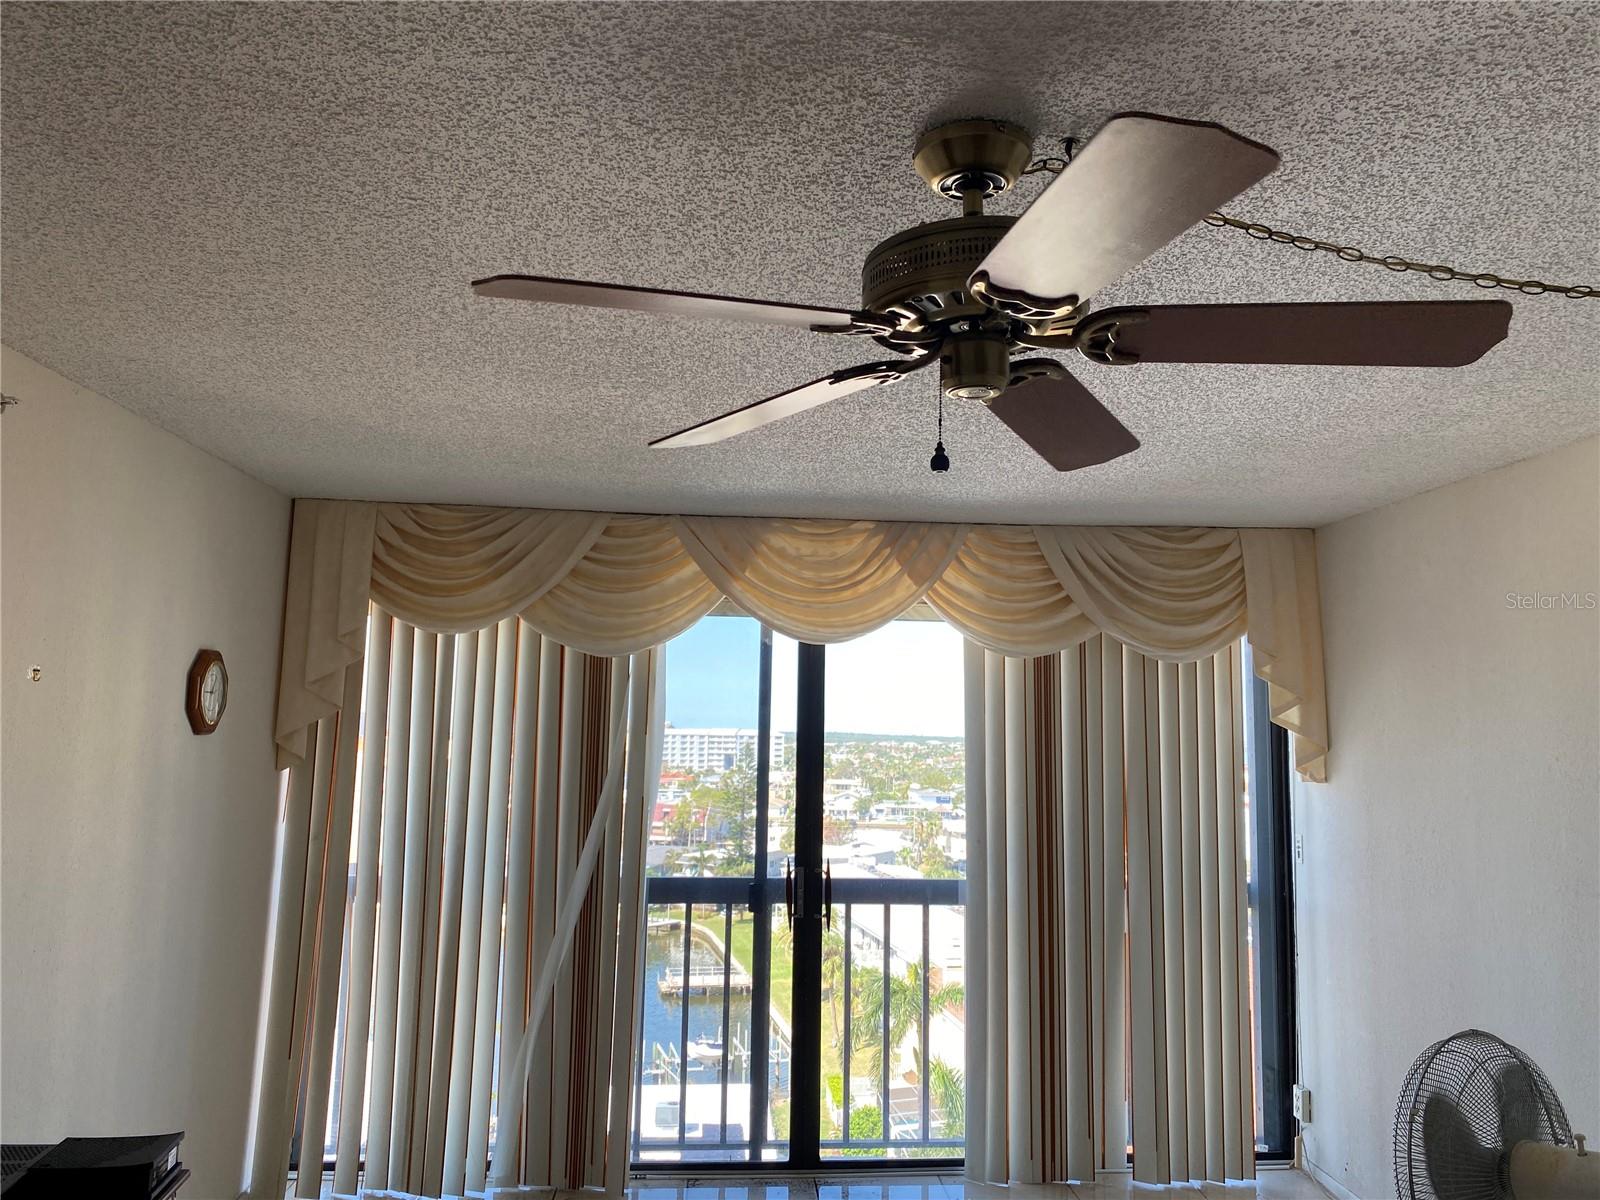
{"points": [[716, 1033]]}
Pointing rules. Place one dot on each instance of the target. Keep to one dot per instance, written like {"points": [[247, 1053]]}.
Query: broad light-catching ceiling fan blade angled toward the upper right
{"points": [[1134, 188]]}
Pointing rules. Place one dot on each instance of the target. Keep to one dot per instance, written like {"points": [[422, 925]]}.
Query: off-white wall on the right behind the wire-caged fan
{"points": [[1452, 865]]}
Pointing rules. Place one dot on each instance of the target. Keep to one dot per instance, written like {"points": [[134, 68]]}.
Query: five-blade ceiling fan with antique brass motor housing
{"points": [[975, 290]]}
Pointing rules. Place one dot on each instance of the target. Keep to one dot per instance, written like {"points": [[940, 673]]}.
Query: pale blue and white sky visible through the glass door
{"points": [[902, 679]]}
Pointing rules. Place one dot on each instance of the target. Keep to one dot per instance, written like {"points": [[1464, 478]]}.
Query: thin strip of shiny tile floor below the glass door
{"points": [[1271, 1185]]}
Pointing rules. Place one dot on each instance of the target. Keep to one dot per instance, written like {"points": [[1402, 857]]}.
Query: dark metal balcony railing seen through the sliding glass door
{"points": [[714, 1079]]}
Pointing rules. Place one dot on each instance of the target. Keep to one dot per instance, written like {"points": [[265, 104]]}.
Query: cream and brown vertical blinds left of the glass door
{"points": [[425, 866]]}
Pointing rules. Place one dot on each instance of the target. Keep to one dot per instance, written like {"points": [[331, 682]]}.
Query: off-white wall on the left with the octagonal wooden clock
{"points": [[135, 857]]}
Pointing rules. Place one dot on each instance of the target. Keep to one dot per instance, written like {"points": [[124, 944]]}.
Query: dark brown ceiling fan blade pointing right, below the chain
{"points": [[1409, 334]]}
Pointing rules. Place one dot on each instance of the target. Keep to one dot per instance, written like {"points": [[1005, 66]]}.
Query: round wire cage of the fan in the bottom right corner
{"points": [[1490, 1097]]}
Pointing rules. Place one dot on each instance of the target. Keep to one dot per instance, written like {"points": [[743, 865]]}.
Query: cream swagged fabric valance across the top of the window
{"points": [[614, 585]]}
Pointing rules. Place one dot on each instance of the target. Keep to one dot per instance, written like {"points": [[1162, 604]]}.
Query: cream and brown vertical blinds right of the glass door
{"points": [[1106, 889]]}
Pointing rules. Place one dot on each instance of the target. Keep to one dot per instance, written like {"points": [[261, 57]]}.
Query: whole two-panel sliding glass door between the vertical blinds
{"points": [[807, 855]]}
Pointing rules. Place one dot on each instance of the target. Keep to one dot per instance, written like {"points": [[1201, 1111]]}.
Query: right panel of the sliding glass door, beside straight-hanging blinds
{"points": [[895, 854]]}
